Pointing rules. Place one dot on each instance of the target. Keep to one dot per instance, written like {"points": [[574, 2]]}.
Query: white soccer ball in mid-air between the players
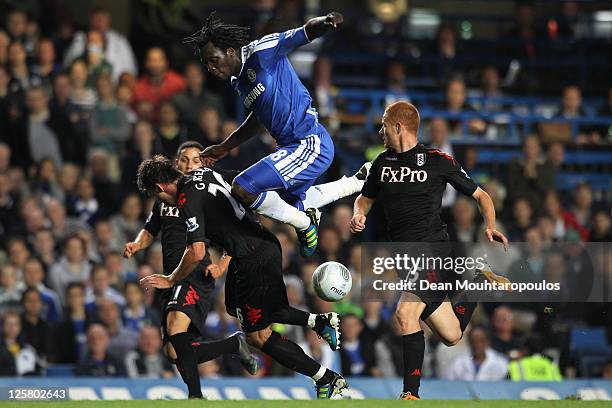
{"points": [[332, 281]]}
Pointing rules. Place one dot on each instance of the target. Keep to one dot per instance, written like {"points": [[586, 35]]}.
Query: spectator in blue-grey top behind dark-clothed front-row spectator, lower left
{"points": [[121, 339]]}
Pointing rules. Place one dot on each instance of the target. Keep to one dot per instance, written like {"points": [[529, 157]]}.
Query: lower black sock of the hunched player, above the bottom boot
{"points": [[290, 355]]}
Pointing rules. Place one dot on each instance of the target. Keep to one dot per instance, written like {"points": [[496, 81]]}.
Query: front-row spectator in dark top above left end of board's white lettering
{"points": [[98, 360]]}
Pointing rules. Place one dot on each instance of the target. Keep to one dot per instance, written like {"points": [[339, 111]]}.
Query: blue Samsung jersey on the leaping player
{"points": [[269, 86]]}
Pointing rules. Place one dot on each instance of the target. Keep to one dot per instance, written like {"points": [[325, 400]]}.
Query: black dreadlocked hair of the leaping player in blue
{"points": [[220, 34]]}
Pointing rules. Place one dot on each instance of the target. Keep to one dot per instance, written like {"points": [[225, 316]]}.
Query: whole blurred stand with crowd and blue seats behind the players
{"points": [[519, 92]]}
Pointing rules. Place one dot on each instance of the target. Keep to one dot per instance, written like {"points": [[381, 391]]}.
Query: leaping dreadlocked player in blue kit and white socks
{"points": [[261, 74]]}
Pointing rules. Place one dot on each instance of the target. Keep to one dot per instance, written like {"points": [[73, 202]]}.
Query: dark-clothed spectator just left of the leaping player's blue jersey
{"points": [[195, 97]]}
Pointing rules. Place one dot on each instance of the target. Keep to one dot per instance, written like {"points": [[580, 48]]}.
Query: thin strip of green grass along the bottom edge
{"points": [[304, 404]]}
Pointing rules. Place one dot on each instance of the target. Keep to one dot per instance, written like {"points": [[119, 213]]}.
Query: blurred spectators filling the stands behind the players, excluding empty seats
{"points": [[78, 113]]}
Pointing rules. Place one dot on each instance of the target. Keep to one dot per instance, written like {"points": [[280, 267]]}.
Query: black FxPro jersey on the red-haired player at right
{"points": [[409, 186]]}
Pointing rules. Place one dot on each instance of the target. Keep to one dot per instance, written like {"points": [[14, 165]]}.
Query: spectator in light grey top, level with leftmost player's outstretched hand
{"points": [[71, 267]]}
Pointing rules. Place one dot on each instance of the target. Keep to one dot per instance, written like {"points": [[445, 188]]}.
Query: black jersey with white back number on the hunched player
{"points": [[212, 214]]}
